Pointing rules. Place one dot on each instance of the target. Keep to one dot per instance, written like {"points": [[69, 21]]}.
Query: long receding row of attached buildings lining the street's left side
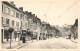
{"points": [[20, 20]]}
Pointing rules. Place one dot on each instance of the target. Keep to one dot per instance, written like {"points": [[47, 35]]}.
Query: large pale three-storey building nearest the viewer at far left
{"points": [[10, 18]]}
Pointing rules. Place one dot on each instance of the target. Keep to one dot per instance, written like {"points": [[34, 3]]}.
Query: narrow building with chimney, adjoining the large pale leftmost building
{"points": [[23, 20]]}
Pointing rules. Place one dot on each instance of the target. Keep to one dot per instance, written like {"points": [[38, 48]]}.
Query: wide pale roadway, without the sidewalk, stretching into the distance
{"points": [[54, 43]]}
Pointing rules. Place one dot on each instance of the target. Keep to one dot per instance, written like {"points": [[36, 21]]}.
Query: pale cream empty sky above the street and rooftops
{"points": [[55, 12]]}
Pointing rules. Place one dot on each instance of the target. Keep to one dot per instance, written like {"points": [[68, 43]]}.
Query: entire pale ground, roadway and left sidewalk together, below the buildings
{"points": [[52, 43]]}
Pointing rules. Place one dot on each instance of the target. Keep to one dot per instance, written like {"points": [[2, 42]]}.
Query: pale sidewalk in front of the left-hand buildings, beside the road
{"points": [[14, 44]]}
